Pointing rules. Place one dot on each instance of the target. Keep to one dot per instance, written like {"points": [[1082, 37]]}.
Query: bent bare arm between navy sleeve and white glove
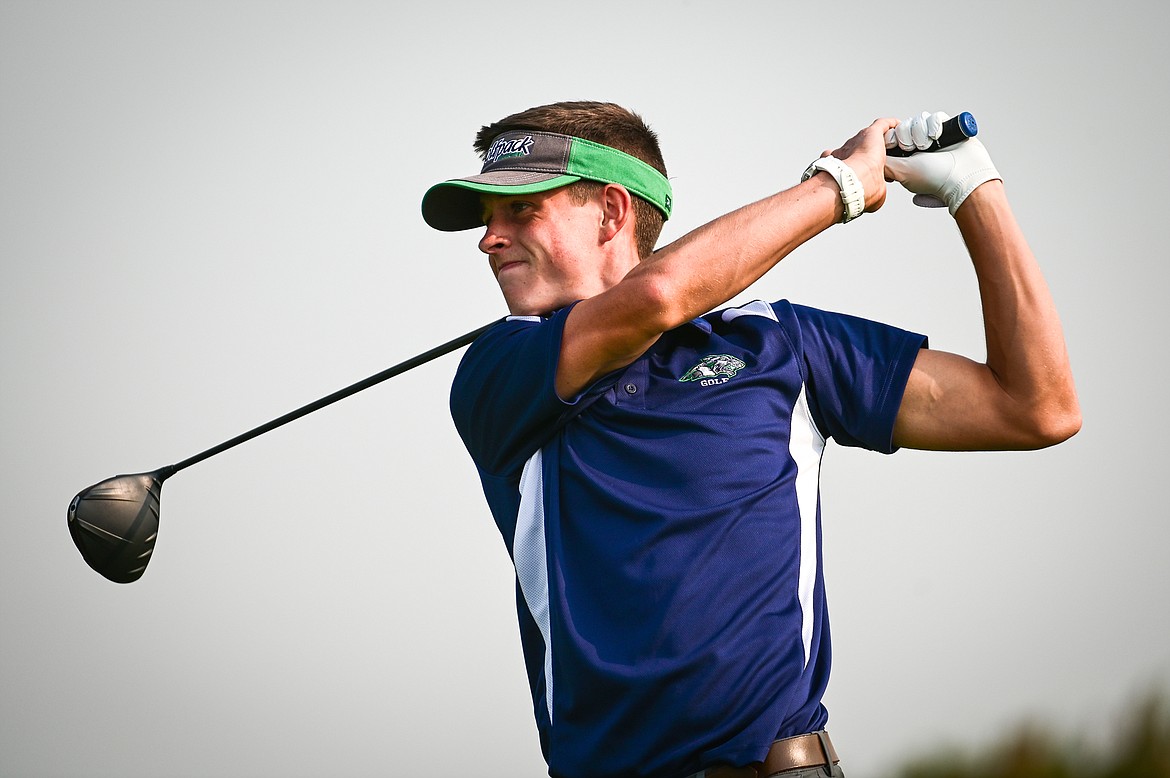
{"points": [[1023, 397]]}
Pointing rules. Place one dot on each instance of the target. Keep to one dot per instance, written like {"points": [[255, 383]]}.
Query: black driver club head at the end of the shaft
{"points": [[115, 522]]}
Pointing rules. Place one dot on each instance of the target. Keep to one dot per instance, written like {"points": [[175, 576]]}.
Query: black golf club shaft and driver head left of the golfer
{"points": [[115, 522]]}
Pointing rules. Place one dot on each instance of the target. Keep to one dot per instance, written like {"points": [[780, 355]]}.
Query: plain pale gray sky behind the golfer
{"points": [[209, 217]]}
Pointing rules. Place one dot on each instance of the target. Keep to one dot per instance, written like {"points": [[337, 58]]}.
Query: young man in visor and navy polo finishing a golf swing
{"points": [[653, 467]]}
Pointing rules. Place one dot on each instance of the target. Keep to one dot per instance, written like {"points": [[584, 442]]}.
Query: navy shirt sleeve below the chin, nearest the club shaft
{"points": [[504, 398]]}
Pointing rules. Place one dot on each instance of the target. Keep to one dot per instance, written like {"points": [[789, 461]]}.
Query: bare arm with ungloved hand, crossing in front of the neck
{"points": [[710, 266]]}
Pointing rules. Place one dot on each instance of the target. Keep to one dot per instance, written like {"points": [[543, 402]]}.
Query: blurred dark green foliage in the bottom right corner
{"points": [[1139, 749]]}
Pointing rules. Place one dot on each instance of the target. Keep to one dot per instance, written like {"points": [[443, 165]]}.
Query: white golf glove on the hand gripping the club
{"points": [[938, 178]]}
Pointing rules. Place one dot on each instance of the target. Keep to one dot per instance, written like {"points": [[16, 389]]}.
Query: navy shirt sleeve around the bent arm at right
{"points": [[857, 375]]}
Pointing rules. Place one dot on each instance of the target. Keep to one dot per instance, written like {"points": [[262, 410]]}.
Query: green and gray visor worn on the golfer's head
{"points": [[524, 162]]}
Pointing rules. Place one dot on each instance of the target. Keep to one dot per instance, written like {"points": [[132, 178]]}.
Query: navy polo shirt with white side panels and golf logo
{"points": [[665, 526]]}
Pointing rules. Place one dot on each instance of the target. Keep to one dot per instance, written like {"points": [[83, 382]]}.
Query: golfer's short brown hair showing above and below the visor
{"points": [[605, 123]]}
